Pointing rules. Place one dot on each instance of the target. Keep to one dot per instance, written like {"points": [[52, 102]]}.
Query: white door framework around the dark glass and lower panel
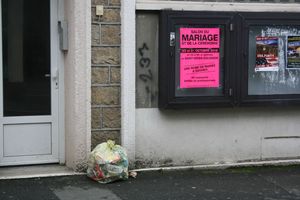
{"points": [[57, 64]]}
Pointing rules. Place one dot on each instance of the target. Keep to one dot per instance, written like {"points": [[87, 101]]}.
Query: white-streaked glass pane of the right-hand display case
{"points": [[267, 72]]}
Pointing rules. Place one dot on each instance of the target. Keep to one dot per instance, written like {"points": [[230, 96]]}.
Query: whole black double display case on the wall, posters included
{"points": [[228, 59]]}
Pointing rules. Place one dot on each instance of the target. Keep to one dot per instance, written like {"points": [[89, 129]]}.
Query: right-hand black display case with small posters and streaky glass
{"points": [[270, 66]]}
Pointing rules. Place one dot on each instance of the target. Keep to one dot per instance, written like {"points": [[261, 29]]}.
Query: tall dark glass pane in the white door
{"points": [[26, 57]]}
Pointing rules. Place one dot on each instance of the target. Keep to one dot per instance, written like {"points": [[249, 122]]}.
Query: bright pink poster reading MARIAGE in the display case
{"points": [[199, 57]]}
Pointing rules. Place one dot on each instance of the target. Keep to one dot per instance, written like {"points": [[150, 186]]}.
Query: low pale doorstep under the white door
{"points": [[36, 171]]}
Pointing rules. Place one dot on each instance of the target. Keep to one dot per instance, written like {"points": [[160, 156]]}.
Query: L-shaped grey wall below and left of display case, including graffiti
{"points": [[205, 136]]}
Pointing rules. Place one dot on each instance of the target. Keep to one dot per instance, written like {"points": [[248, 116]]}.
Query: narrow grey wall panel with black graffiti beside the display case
{"points": [[147, 60]]}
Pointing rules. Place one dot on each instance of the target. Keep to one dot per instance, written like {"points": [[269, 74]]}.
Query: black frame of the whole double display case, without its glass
{"points": [[235, 62]]}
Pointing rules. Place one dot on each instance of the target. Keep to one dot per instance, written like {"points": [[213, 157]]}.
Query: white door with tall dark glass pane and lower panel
{"points": [[28, 82]]}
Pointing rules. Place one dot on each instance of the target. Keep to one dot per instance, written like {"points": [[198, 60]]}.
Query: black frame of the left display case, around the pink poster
{"points": [[168, 20]]}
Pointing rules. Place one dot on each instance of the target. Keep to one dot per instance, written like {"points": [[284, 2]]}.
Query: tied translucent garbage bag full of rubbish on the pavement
{"points": [[108, 162]]}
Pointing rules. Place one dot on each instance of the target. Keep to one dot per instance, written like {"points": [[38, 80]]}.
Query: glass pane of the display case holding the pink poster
{"points": [[199, 60]]}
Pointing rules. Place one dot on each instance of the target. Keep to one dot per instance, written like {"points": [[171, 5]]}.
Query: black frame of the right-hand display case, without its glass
{"points": [[246, 20]]}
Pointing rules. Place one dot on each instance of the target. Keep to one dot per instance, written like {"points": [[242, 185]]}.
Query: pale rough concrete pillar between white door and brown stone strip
{"points": [[77, 62]]}
